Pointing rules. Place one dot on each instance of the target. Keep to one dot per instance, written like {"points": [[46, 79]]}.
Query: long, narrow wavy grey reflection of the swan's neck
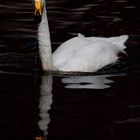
{"points": [[45, 102]]}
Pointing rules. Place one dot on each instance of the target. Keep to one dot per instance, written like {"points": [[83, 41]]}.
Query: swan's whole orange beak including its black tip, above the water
{"points": [[38, 10]]}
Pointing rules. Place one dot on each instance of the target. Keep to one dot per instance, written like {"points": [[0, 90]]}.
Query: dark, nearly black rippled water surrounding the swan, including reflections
{"points": [[105, 106]]}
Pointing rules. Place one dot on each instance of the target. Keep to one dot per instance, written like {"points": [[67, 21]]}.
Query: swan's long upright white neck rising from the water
{"points": [[45, 50]]}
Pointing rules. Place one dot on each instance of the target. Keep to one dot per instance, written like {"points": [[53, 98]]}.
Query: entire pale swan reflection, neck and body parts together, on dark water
{"points": [[79, 82]]}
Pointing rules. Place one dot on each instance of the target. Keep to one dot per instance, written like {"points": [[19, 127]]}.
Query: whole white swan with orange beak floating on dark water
{"points": [[78, 54]]}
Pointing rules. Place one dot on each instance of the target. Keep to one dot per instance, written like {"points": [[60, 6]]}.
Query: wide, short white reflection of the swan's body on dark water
{"points": [[88, 82]]}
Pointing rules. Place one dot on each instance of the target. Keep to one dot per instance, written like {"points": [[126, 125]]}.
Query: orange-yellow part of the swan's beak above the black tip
{"points": [[37, 7]]}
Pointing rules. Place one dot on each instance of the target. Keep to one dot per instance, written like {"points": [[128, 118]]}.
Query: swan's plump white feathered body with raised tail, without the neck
{"points": [[88, 54]]}
